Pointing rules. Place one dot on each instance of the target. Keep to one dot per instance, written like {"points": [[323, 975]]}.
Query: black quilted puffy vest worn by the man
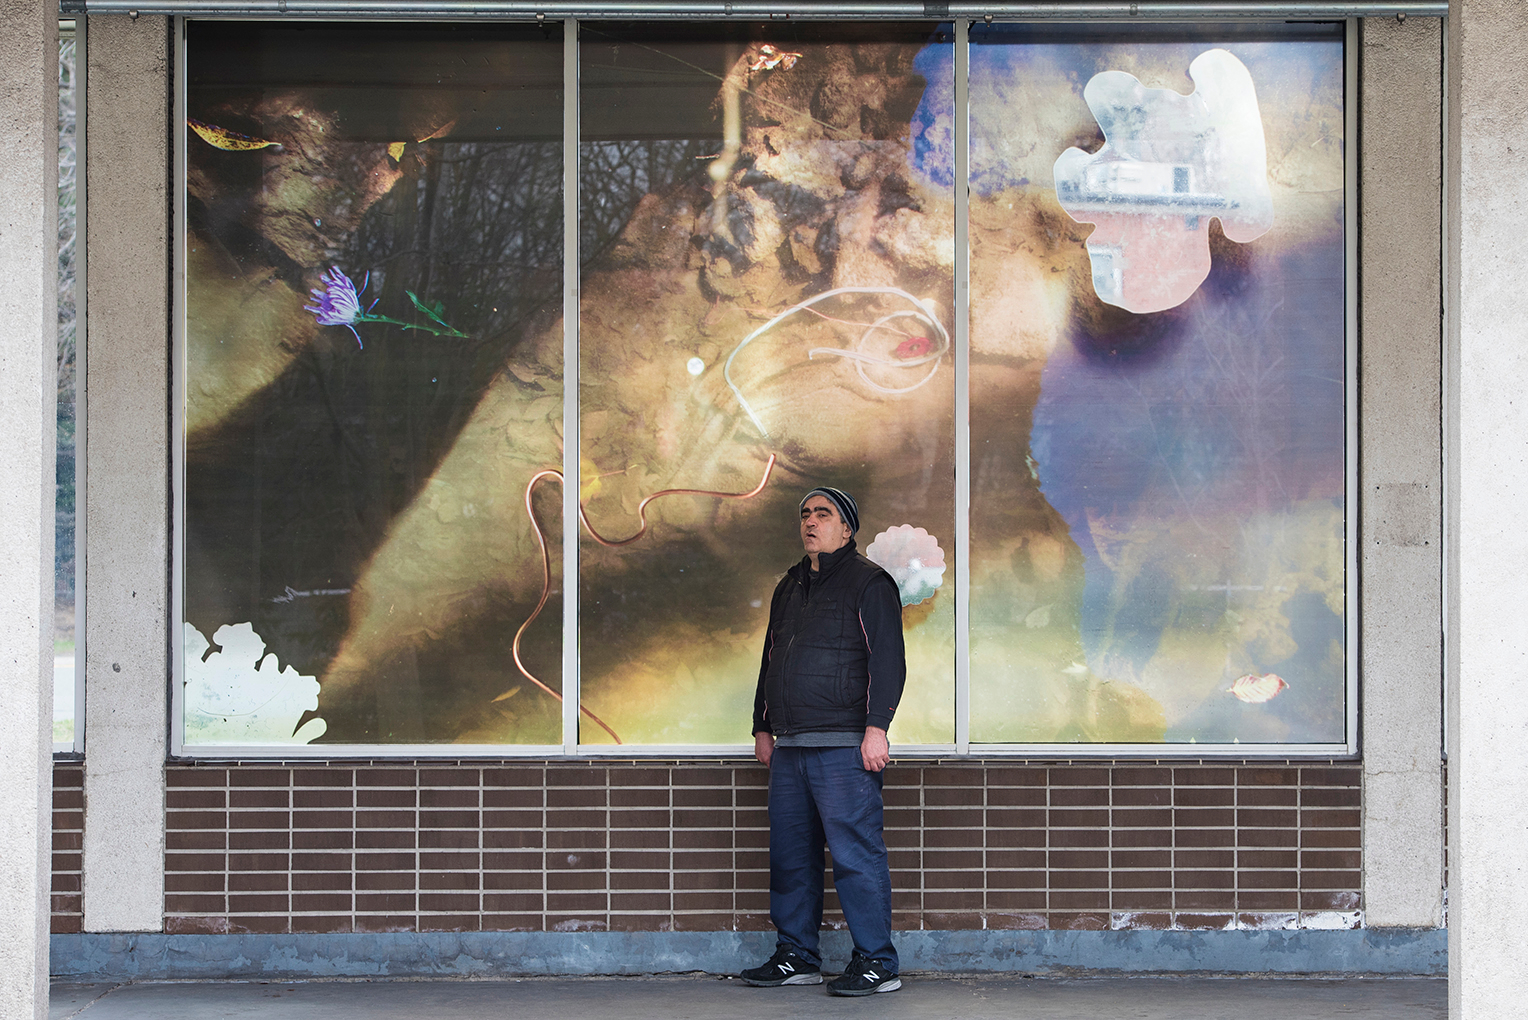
{"points": [[818, 676]]}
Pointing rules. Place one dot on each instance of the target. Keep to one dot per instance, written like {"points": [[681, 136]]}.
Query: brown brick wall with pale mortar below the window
{"points": [[684, 847]]}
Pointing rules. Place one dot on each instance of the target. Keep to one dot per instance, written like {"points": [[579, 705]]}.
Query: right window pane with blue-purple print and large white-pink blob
{"points": [[1157, 349]]}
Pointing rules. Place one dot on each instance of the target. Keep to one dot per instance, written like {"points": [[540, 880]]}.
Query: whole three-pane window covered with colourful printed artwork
{"points": [[1131, 312]]}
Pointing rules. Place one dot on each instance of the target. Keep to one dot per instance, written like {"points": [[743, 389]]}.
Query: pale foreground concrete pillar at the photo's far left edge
{"points": [[28, 399]]}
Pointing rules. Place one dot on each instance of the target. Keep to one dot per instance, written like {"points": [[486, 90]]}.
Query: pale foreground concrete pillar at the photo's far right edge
{"points": [[1488, 182]]}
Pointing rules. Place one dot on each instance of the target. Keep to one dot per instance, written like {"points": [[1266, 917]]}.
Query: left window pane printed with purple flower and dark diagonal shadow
{"points": [[374, 266]]}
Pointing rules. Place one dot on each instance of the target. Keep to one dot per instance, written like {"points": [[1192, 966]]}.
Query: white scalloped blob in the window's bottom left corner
{"points": [[239, 696]]}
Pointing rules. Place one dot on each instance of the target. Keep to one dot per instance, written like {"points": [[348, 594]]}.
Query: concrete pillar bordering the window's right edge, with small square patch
{"points": [[1402, 471]]}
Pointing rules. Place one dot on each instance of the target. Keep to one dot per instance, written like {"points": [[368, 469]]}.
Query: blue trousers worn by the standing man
{"points": [[823, 795]]}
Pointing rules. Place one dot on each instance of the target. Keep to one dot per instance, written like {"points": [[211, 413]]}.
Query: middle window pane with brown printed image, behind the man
{"points": [[774, 315]]}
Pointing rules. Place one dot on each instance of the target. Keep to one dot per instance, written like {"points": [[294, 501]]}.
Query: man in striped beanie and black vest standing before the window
{"points": [[829, 685]]}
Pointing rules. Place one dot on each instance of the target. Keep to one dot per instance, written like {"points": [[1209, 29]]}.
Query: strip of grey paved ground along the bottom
{"points": [[704, 998]]}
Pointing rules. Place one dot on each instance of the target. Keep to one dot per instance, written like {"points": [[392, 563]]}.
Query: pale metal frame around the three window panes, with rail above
{"points": [[962, 747]]}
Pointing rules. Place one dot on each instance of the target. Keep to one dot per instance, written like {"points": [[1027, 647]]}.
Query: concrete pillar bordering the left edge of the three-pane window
{"points": [[128, 448]]}
